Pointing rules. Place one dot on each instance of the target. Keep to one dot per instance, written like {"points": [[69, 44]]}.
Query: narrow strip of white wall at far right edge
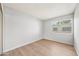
{"points": [[76, 29]]}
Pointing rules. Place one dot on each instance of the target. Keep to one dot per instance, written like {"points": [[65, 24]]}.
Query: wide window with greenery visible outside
{"points": [[62, 26]]}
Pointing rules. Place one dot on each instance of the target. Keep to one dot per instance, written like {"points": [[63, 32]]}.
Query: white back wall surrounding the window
{"points": [[60, 37]]}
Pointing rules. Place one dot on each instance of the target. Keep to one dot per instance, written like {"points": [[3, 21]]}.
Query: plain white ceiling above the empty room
{"points": [[43, 10]]}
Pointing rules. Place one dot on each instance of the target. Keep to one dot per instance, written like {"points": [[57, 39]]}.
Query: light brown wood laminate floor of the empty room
{"points": [[43, 48]]}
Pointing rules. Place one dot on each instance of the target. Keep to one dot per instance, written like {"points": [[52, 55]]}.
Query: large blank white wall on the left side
{"points": [[20, 29]]}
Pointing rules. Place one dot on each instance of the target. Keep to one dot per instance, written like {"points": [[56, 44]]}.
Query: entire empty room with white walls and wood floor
{"points": [[39, 29]]}
